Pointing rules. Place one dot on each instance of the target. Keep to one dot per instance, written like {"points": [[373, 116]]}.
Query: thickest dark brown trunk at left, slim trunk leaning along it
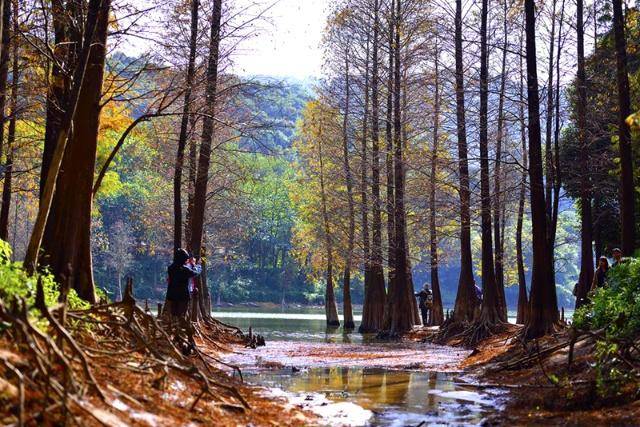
{"points": [[63, 225]]}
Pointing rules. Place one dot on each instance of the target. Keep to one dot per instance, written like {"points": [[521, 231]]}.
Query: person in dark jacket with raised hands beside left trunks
{"points": [[179, 272]]}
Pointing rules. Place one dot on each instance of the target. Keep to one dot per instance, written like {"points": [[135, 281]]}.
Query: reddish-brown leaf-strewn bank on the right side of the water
{"points": [[542, 388]]}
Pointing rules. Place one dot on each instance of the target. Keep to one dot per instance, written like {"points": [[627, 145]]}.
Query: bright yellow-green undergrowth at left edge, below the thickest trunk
{"points": [[17, 285]]}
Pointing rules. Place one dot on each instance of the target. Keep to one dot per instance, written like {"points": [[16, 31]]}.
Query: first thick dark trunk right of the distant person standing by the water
{"points": [[466, 300]]}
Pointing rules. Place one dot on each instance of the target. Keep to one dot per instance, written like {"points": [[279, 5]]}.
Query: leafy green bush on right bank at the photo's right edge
{"points": [[614, 314]]}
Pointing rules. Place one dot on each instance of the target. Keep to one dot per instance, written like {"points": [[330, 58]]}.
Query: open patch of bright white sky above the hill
{"points": [[289, 45]]}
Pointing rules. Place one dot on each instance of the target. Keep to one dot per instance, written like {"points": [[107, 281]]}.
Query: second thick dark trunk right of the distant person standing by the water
{"points": [[490, 312]]}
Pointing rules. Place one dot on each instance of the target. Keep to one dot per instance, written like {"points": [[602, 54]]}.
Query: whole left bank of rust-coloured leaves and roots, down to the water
{"points": [[115, 365]]}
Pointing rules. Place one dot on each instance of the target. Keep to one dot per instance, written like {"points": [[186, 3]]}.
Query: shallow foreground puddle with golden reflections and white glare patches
{"points": [[375, 396]]}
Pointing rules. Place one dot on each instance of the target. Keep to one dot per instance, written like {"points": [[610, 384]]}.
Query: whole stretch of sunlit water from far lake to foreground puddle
{"points": [[350, 380]]}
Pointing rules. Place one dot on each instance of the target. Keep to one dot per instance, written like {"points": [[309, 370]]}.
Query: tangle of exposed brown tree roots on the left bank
{"points": [[55, 379]]}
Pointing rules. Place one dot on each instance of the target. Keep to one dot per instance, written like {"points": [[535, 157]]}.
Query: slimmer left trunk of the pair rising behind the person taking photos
{"points": [[184, 129]]}
